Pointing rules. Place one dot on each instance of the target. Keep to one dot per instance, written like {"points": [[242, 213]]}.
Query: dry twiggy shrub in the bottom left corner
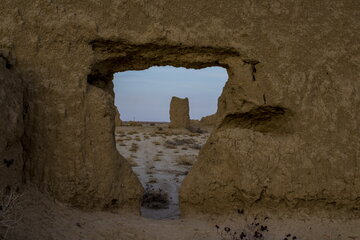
{"points": [[10, 210]]}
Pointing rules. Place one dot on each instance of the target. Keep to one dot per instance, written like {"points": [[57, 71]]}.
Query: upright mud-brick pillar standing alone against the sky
{"points": [[179, 113]]}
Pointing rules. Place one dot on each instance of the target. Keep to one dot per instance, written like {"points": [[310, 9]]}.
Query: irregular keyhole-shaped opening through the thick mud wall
{"points": [[160, 152]]}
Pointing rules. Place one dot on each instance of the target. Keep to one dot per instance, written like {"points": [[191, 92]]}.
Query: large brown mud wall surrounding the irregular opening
{"points": [[290, 126]]}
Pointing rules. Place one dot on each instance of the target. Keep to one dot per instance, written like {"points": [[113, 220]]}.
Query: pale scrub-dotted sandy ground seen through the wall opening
{"points": [[161, 158]]}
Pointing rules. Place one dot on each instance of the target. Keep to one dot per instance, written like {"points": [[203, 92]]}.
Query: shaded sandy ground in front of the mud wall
{"points": [[45, 219]]}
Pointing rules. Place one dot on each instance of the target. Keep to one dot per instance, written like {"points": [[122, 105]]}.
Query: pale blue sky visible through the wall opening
{"points": [[145, 95]]}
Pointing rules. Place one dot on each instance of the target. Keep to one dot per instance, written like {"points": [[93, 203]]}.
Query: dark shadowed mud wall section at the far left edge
{"points": [[11, 125]]}
